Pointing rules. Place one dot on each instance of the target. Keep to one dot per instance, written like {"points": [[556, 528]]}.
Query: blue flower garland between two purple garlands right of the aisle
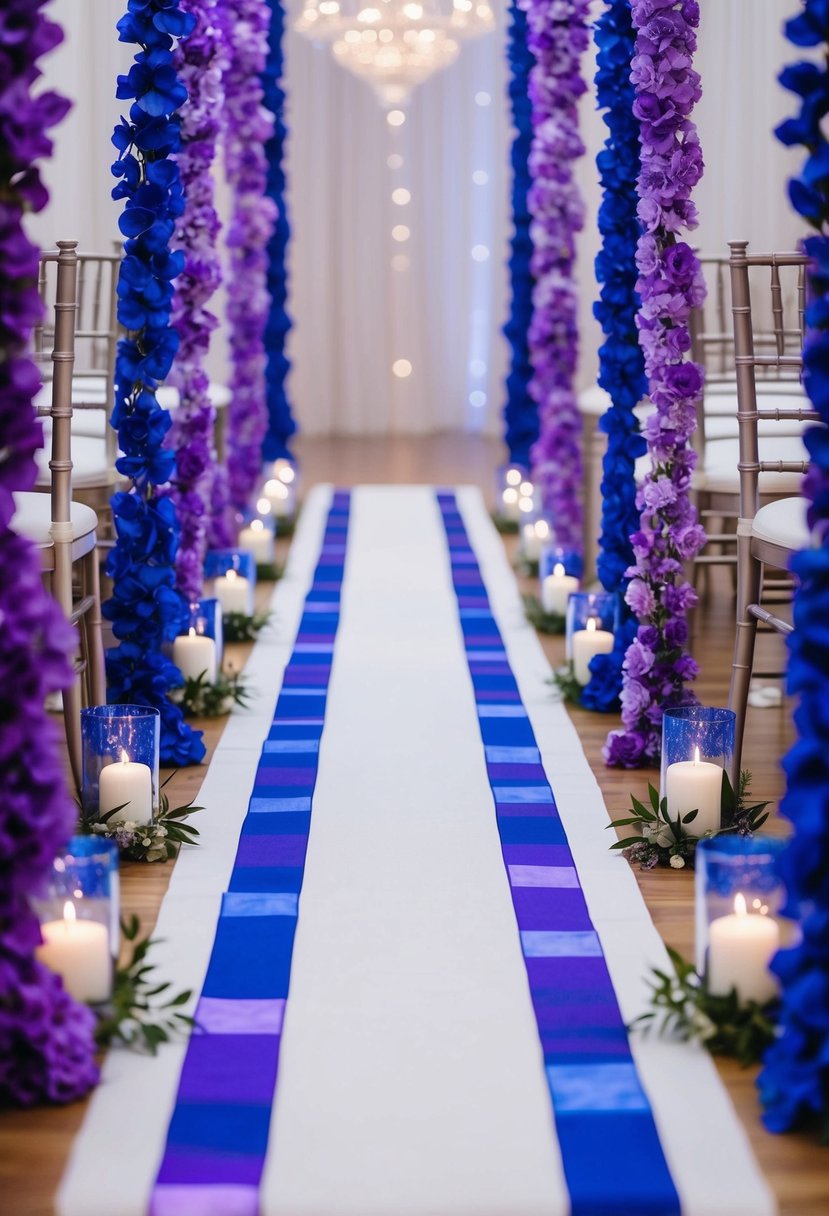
{"points": [[622, 363]]}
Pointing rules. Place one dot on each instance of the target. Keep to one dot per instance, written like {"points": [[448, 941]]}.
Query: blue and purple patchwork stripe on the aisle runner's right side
{"points": [[596, 1093]]}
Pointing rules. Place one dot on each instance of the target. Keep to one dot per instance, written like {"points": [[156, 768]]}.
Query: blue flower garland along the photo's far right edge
{"points": [[794, 1084]]}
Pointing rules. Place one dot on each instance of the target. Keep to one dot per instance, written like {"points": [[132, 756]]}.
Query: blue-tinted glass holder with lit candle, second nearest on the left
{"points": [[121, 747]]}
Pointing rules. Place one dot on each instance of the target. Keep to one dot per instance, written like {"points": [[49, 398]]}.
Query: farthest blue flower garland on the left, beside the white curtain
{"points": [[281, 425]]}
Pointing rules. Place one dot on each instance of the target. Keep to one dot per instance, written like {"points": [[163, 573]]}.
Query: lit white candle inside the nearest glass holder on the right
{"points": [[741, 948]]}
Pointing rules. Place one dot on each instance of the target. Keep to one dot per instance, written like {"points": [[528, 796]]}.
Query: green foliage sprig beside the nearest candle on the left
{"points": [[143, 1014]]}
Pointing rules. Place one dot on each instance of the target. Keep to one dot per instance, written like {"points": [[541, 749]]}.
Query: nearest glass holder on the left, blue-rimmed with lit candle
{"points": [[78, 909]]}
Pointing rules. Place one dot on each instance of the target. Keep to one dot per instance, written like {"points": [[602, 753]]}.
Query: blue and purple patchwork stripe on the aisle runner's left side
{"points": [[218, 1135]]}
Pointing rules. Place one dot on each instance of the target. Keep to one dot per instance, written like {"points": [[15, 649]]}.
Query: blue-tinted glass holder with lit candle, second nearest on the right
{"points": [[698, 745]]}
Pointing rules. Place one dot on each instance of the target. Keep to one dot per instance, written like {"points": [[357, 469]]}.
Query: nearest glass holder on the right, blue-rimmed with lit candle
{"points": [[738, 899]]}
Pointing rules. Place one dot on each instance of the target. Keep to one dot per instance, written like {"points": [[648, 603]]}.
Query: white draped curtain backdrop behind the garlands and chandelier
{"points": [[360, 300]]}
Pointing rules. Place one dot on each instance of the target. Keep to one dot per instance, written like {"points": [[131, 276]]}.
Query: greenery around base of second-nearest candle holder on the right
{"points": [[659, 841]]}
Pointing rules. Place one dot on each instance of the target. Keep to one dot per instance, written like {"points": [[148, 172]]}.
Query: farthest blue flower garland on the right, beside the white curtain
{"points": [[521, 413]]}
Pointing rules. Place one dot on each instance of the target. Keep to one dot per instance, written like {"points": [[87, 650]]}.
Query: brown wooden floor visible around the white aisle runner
{"points": [[35, 1145]]}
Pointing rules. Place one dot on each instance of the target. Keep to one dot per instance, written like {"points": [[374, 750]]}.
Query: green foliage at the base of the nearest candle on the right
{"points": [[683, 1007]]}
